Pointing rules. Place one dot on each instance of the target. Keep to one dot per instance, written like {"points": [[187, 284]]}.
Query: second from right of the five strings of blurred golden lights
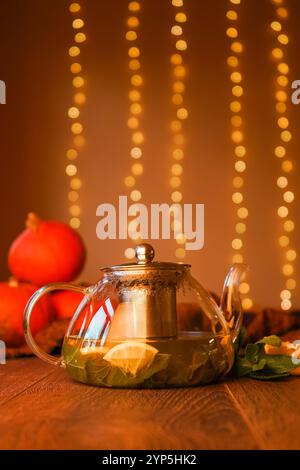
{"points": [[237, 137]]}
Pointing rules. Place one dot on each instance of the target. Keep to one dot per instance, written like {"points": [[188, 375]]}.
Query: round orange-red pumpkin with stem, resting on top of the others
{"points": [[47, 251]]}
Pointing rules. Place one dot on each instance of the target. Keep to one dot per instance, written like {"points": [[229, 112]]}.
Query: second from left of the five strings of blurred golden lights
{"points": [[135, 111]]}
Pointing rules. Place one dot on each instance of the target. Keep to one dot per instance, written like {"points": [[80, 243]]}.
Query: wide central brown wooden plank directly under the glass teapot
{"points": [[57, 413]]}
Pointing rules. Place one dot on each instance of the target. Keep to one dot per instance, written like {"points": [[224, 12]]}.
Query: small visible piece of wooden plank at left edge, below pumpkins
{"points": [[18, 374]]}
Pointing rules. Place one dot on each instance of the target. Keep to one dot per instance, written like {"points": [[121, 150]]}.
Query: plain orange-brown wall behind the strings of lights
{"points": [[34, 39]]}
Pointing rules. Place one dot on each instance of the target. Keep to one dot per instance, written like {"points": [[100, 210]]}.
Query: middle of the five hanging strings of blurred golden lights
{"points": [[180, 116]]}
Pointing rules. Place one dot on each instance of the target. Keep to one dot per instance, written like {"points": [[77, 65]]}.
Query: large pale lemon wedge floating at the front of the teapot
{"points": [[131, 356]]}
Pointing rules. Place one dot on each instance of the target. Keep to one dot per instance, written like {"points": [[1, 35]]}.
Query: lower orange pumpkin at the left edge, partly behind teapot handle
{"points": [[14, 296]]}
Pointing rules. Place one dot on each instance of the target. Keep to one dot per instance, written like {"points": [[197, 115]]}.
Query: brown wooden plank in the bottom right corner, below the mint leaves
{"points": [[271, 410]]}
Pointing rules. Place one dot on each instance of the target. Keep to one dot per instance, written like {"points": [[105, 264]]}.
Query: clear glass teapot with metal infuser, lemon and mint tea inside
{"points": [[147, 324]]}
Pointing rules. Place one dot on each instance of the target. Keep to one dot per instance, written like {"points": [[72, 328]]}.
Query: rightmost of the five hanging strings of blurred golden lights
{"points": [[281, 152]]}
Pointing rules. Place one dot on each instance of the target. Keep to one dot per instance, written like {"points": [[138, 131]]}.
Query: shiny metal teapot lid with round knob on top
{"points": [[144, 254]]}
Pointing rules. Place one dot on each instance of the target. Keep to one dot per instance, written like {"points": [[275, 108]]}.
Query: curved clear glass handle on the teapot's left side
{"points": [[57, 361]]}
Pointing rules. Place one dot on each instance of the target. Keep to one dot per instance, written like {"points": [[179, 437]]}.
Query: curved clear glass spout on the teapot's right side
{"points": [[230, 301]]}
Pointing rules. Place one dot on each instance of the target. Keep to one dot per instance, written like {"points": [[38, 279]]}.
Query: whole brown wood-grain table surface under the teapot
{"points": [[42, 408]]}
